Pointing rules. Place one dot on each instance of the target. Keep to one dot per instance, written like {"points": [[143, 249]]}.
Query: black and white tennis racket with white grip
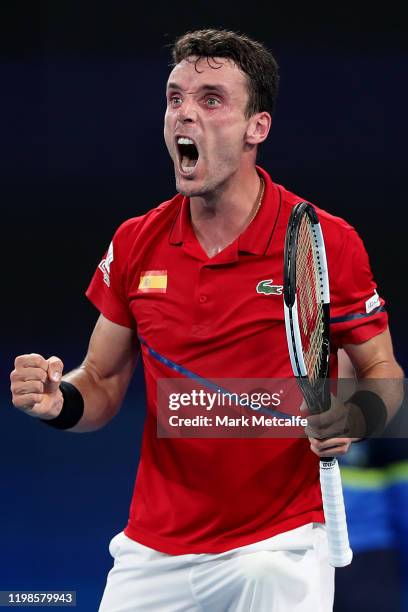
{"points": [[307, 313]]}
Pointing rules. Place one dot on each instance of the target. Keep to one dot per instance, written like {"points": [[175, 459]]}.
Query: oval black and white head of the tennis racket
{"points": [[307, 304]]}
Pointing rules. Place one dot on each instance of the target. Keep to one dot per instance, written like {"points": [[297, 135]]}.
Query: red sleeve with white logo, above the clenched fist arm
{"points": [[107, 289]]}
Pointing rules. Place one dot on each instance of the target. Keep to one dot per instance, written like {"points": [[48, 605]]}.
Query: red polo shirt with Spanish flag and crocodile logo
{"points": [[208, 495]]}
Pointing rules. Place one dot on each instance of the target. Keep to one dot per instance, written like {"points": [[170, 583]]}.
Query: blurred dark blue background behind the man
{"points": [[82, 102]]}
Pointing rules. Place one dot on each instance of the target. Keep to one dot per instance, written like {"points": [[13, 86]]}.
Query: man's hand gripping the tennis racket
{"points": [[331, 433]]}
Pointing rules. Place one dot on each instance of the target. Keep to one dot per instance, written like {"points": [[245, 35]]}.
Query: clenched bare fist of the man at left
{"points": [[35, 385]]}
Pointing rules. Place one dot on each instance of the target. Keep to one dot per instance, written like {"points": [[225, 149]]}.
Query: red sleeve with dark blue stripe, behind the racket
{"points": [[357, 312]]}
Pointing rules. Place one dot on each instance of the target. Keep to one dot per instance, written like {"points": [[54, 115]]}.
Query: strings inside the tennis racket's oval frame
{"points": [[309, 298]]}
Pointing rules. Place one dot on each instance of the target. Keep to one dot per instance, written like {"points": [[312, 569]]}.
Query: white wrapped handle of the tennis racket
{"points": [[340, 553]]}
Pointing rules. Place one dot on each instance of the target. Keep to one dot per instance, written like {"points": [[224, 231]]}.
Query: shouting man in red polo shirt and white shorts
{"points": [[215, 524]]}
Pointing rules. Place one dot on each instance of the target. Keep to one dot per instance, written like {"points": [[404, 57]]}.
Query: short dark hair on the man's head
{"points": [[252, 57]]}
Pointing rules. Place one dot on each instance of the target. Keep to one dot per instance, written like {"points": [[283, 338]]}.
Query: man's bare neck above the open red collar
{"points": [[219, 219]]}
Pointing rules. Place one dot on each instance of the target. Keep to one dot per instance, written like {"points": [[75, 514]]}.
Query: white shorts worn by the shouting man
{"points": [[287, 573]]}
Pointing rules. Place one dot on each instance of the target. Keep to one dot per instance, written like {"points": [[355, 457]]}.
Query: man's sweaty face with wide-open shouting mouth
{"points": [[205, 123]]}
